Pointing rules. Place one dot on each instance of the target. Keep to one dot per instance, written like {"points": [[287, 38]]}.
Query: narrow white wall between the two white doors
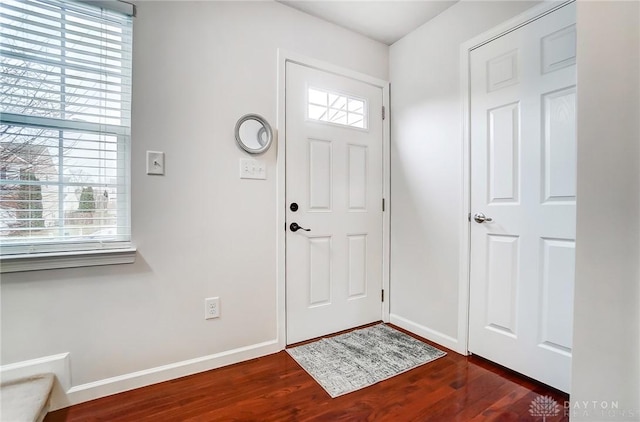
{"points": [[426, 167]]}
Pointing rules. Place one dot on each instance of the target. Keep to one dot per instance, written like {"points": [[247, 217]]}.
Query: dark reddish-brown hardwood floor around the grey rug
{"points": [[275, 388]]}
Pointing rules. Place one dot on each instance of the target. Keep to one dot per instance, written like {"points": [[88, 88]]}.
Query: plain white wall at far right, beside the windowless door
{"points": [[606, 358]]}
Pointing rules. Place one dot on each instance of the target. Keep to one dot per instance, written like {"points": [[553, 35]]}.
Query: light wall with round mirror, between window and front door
{"points": [[200, 230]]}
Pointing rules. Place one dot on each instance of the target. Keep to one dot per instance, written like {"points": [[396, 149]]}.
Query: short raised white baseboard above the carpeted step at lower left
{"points": [[55, 364]]}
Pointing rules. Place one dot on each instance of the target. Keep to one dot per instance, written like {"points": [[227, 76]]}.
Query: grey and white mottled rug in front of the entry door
{"points": [[361, 358]]}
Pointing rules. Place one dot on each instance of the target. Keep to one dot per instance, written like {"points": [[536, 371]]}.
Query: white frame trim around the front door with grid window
{"points": [[284, 57]]}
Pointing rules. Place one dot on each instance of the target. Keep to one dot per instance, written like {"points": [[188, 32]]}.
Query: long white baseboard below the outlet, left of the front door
{"points": [[106, 387]]}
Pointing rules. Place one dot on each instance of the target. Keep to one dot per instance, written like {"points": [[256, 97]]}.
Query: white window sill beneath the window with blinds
{"points": [[57, 260]]}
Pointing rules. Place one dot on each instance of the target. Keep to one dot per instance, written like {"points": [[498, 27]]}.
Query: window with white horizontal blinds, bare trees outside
{"points": [[65, 102]]}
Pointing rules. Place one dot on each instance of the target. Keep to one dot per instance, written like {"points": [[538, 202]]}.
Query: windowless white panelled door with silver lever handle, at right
{"points": [[523, 178]]}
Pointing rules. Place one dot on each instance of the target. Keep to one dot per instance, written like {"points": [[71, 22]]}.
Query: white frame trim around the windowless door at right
{"points": [[464, 279]]}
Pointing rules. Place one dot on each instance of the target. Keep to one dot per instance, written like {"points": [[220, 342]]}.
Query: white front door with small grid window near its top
{"points": [[333, 190]]}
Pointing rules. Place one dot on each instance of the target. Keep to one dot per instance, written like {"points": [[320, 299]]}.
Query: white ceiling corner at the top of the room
{"points": [[386, 21]]}
